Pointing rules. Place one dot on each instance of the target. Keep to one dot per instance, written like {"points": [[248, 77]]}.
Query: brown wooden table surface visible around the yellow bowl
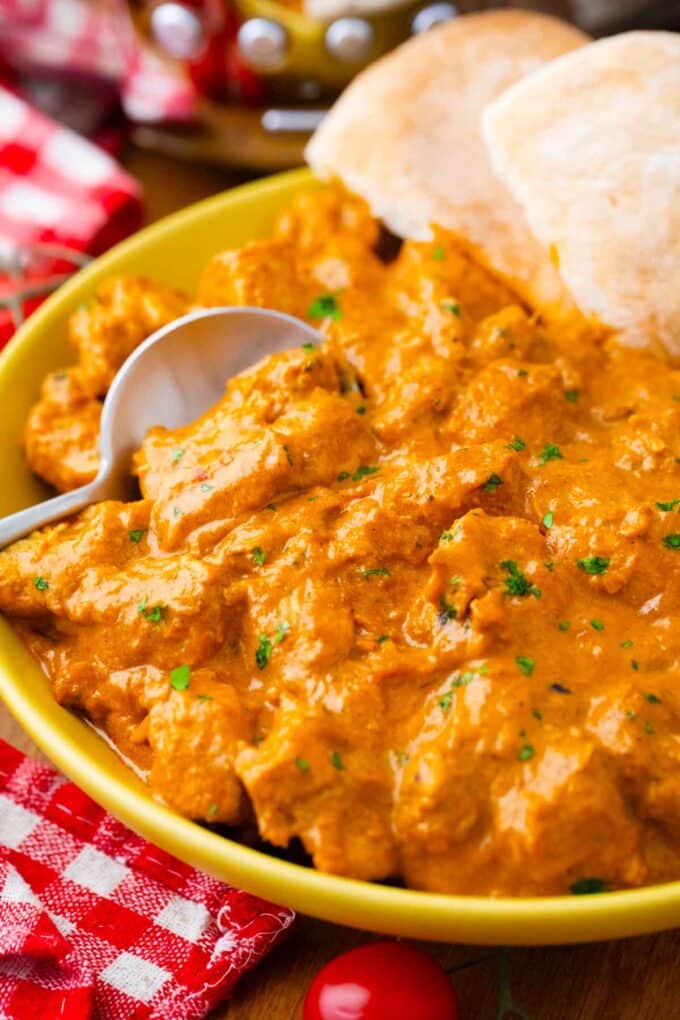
{"points": [[635, 980]]}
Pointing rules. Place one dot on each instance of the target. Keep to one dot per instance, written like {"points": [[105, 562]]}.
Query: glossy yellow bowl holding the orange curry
{"points": [[175, 251]]}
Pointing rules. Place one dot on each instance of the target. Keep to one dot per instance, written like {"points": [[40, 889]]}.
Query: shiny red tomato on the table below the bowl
{"points": [[382, 982]]}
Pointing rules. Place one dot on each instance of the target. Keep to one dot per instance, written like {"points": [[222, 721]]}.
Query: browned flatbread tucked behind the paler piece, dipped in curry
{"points": [[407, 137]]}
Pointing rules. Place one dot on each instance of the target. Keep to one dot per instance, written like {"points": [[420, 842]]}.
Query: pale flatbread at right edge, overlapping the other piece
{"points": [[591, 148]]}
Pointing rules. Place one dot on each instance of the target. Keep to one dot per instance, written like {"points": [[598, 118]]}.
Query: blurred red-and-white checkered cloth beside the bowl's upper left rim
{"points": [[56, 188]]}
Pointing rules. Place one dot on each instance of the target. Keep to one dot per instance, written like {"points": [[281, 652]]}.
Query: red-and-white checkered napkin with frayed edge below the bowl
{"points": [[97, 924]]}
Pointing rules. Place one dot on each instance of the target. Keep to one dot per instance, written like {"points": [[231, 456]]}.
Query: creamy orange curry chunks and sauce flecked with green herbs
{"points": [[411, 596]]}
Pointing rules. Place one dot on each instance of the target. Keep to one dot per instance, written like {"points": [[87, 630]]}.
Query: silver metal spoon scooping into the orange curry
{"points": [[171, 380]]}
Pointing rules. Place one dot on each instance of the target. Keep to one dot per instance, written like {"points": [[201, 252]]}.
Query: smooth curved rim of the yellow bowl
{"points": [[374, 906]]}
